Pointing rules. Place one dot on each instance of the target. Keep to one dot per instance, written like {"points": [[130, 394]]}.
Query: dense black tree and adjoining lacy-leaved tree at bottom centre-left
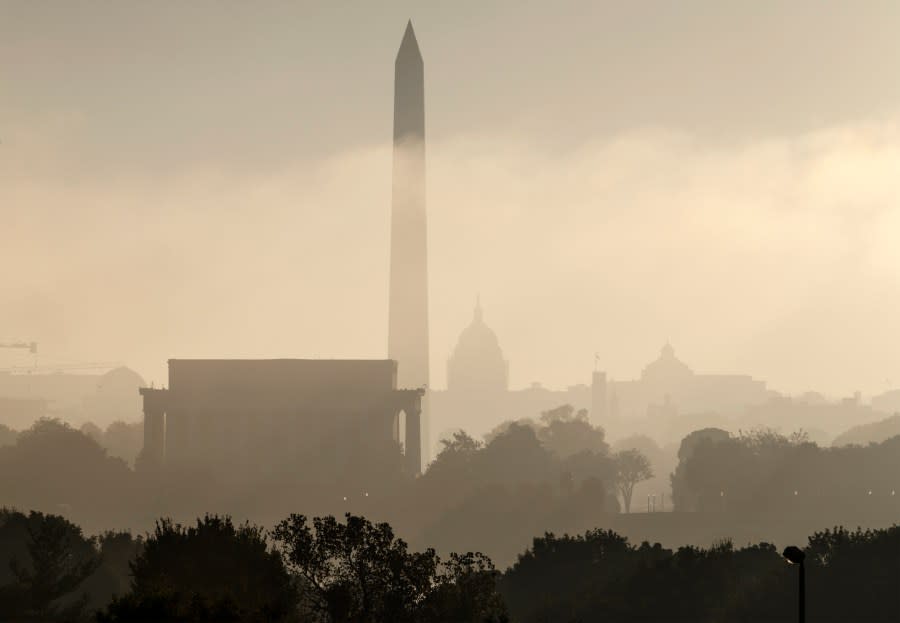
{"points": [[322, 570]]}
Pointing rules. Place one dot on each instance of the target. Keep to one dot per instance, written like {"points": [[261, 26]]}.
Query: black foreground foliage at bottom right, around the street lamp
{"points": [[599, 576]]}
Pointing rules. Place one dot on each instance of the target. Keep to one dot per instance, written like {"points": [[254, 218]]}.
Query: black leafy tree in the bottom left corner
{"points": [[59, 561]]}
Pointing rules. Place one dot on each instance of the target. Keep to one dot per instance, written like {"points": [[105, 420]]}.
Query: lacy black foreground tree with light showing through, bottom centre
{"points": [[359, 571]]}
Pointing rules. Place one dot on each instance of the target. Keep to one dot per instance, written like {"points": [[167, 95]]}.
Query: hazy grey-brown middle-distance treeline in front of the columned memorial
{"points": [[557, 474]]}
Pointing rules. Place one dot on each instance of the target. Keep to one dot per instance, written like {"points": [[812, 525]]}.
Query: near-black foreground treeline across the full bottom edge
{"points": [[326, 570]]}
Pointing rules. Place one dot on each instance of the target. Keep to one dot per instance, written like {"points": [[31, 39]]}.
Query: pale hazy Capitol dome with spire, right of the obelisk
{"points": [[477, 364]]}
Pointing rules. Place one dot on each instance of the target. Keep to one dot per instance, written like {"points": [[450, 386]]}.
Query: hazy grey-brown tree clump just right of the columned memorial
{"points": [[471, 487]]}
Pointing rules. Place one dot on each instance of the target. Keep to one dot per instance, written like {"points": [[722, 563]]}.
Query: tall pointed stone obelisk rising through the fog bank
{"points": [[408, 311]]}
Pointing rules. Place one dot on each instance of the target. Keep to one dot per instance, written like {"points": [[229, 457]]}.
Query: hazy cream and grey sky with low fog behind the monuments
{"points": [[213, 179]]}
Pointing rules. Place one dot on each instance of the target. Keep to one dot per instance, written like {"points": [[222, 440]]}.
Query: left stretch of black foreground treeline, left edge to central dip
{"points": [[320, 570]]}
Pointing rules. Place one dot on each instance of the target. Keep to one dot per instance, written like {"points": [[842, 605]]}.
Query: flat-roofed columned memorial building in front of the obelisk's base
{"points": [[281, 418]]}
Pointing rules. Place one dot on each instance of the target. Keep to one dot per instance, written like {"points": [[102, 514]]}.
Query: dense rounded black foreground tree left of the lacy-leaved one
{"points": [[213, 570]]}
